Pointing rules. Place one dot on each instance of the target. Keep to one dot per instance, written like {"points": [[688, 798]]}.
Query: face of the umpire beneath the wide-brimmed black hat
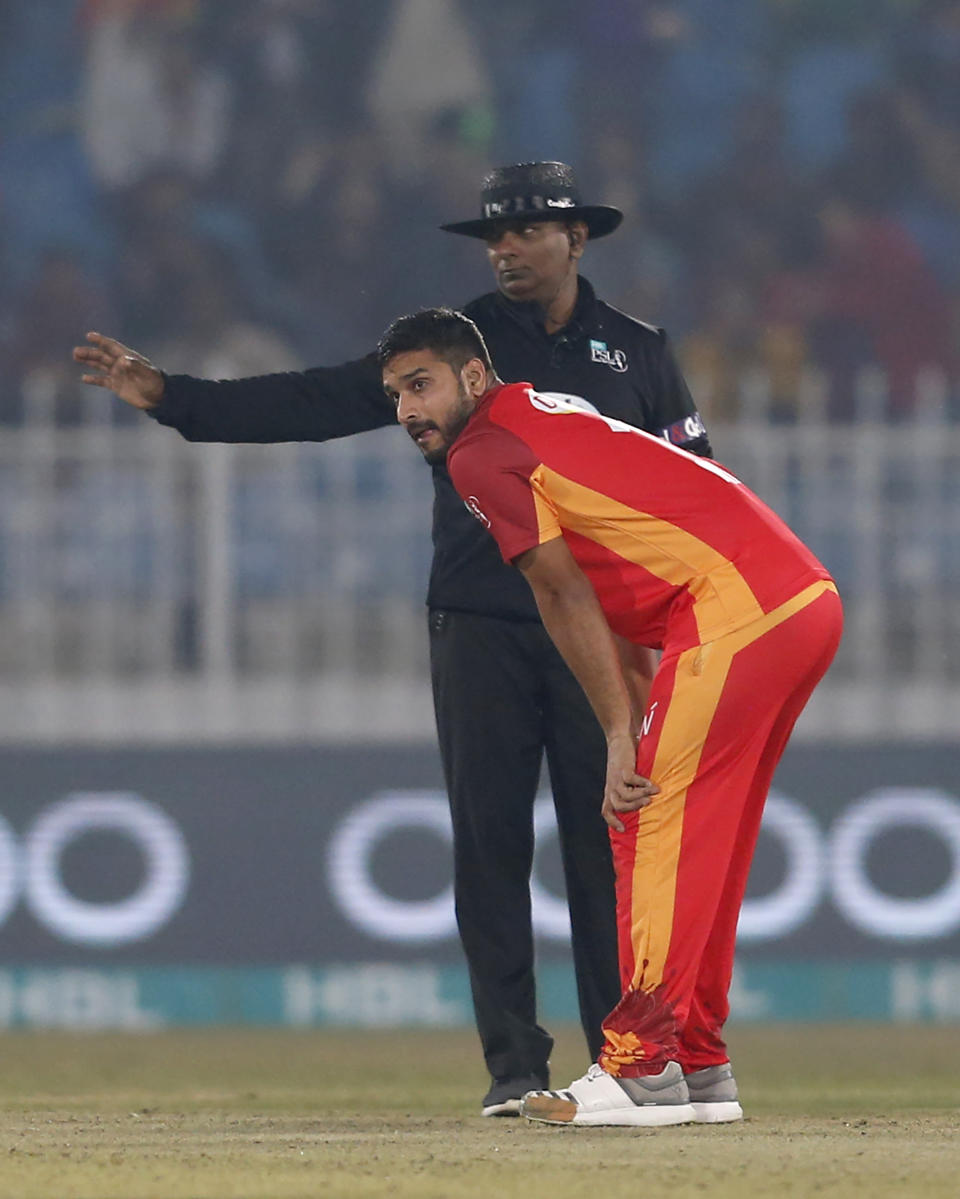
{"points": [[533, 260]]}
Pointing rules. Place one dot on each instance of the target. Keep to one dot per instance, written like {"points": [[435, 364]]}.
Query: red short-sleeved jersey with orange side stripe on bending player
{"points": [[678, 550]]}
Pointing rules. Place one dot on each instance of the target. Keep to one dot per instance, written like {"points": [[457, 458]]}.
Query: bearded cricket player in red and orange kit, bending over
{"points": [[629, 543]]}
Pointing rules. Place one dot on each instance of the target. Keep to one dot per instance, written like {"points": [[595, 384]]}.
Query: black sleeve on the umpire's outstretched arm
{"points": [[297, 406]]}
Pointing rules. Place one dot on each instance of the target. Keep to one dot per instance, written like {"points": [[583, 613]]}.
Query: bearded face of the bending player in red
{"points": [[433, 402]]}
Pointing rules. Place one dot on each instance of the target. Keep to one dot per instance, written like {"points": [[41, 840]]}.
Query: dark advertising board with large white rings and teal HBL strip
{"points": [[335, 863]]}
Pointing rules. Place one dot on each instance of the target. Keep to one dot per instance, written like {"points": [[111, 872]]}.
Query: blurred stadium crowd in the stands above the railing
{"points": [[255, 185]]}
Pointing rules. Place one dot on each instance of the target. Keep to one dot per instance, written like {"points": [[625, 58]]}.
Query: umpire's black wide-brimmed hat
{"points": [[536, 191]]}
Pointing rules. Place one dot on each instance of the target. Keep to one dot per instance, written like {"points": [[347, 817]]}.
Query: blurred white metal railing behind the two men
{"points": [[158, 591]]}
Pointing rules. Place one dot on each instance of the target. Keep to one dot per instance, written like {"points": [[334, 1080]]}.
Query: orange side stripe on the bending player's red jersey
{"points": [[722, 598]]}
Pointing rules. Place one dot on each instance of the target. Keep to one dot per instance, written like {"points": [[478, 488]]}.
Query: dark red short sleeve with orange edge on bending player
{"points": [[502, 492]]}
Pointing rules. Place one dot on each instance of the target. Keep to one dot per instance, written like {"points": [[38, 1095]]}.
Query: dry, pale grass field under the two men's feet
{"points": [[841, 1112]]}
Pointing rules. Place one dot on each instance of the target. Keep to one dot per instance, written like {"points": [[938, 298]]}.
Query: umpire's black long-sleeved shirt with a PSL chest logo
{"points": [[621, 366]]}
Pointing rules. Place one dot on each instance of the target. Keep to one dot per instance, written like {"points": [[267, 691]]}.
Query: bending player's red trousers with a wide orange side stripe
{"points": [[719, 720]]}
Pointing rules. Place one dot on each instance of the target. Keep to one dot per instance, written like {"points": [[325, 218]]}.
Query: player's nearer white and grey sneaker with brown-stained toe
{"points": [[600, 1099]]}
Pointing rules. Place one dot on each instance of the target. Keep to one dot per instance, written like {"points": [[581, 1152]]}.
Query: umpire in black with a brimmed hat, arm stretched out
{"points": [[502, 692]]}
